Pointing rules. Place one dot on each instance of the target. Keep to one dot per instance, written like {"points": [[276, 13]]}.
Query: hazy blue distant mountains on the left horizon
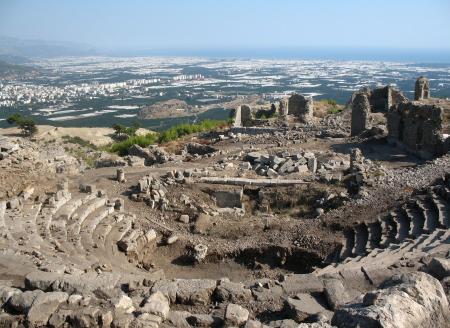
{"points": [[18, 51]]}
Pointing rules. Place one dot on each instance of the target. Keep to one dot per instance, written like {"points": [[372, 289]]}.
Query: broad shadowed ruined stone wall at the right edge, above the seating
{"points": [[419, 127]]}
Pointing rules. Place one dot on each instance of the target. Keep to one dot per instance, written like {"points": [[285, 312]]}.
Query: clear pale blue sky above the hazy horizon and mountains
{"points": [[222, 24]]}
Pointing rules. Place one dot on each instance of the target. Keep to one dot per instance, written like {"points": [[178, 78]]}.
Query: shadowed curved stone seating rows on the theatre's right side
{"points": [[419, 226]]}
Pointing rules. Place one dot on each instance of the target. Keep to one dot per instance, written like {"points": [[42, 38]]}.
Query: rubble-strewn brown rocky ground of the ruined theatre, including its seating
{"points": [[300, 227]]}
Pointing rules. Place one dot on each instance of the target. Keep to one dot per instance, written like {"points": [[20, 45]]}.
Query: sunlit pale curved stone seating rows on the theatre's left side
{"points": [[76, 229]]}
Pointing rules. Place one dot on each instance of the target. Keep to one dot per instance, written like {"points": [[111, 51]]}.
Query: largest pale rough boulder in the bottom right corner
{"points": [[409, 300]]}
